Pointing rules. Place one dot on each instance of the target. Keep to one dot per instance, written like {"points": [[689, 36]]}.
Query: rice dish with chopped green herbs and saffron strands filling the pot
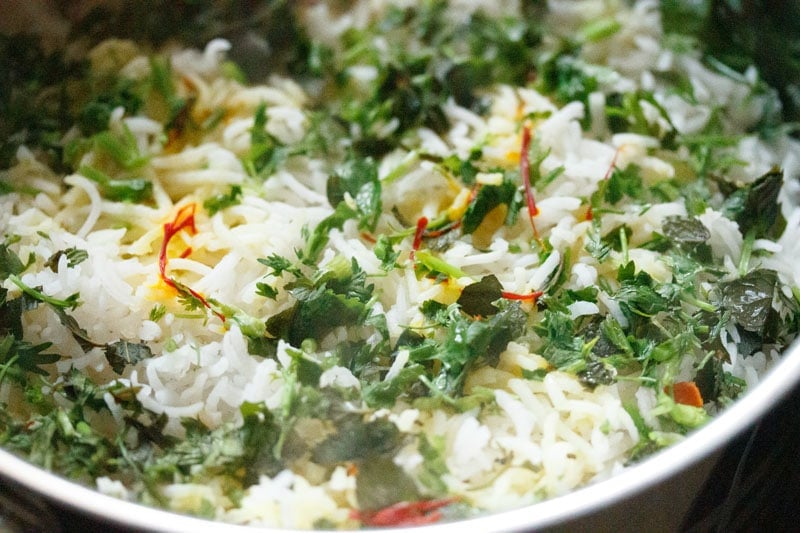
{"points": [[459, 258]]}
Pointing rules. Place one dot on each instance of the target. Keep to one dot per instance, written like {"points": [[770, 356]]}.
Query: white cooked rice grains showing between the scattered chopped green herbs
{"points": [[533, 431]]}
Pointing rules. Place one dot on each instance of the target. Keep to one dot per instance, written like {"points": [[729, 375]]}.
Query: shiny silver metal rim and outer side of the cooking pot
{"points": [[616, 503]]}
